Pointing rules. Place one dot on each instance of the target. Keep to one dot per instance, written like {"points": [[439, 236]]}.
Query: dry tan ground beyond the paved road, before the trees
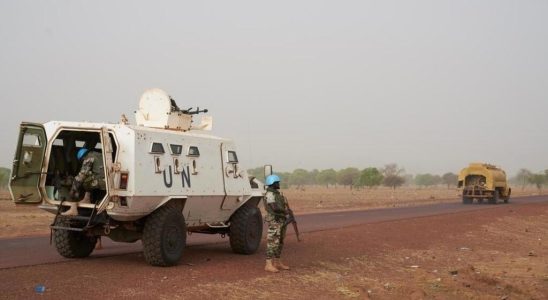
{"points": [[27, 220]]}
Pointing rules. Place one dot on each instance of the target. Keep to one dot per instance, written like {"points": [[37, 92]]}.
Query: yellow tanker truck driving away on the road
{"points": [[483, 181]]}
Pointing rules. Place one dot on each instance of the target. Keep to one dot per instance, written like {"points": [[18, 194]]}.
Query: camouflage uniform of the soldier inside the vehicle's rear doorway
{"points": [[91, 175]]}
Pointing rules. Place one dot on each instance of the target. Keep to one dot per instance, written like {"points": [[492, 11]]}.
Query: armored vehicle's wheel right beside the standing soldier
{"points": [[246, 229]]}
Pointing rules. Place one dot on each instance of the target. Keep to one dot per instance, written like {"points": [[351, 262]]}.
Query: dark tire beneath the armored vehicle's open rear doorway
{"points": [[72, 244]]}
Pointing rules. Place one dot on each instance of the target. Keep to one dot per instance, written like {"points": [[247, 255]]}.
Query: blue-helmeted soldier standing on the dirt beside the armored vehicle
{"points": [[277, 211]]}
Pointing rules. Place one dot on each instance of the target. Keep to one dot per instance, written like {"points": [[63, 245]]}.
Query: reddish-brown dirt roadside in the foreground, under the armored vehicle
{"points": [[498, 253]]}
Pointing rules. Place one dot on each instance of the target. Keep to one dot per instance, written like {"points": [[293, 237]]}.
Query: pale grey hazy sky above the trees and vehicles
{"points": [[430, 85]]}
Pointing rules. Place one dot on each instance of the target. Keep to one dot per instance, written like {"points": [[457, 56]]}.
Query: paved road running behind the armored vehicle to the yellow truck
{"points": [[16, 252]]}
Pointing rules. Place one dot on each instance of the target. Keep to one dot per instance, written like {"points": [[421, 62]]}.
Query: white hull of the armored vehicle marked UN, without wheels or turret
{"points": [[211, 186]]}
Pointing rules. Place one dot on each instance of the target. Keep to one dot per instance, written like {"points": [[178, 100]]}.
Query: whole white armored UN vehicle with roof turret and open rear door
{"points": [[163, 177]]}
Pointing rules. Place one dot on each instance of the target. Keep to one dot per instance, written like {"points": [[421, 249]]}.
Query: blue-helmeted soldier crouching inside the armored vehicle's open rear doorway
{"points": [[90, 177]]}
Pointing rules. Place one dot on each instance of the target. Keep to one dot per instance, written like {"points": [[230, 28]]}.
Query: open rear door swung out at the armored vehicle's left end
{"points": [[27, 164]]}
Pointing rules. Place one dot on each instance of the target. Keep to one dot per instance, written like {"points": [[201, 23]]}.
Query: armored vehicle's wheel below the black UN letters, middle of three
{"points": [[164, 237]]}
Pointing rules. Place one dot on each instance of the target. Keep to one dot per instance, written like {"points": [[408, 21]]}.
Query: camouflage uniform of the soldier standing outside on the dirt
{"points": [[276, 217]]}
